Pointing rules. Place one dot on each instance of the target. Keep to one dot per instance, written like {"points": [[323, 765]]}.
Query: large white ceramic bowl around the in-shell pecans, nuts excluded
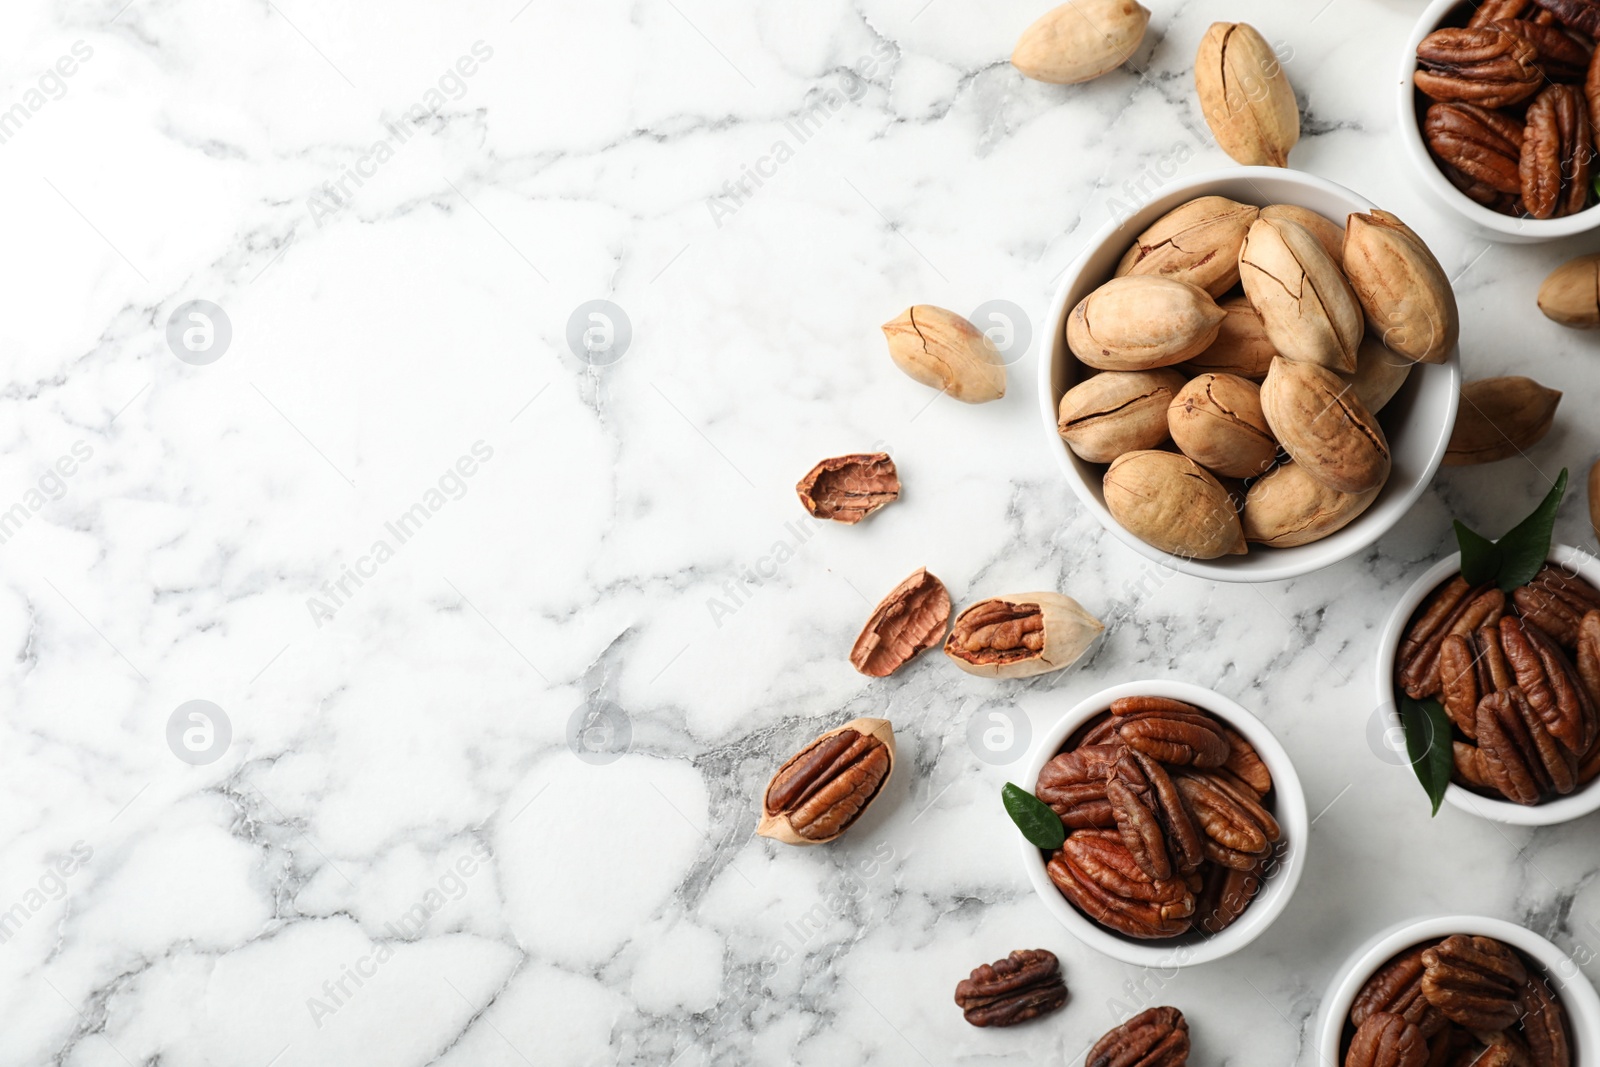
{"points": [[1418, 422]]}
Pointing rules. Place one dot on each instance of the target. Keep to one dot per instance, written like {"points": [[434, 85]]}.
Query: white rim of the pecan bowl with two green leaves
{"points": [[1562, 810]]}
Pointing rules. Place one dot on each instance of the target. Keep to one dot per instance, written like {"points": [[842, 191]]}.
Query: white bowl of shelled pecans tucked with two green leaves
{"points": [[1519, 677]]}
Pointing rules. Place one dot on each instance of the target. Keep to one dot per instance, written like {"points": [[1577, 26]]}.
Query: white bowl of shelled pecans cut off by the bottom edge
{"points": [[1460, 989]]}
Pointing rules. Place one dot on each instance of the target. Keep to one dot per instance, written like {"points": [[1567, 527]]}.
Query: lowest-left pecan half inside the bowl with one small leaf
{"points": [[1095, 871]]}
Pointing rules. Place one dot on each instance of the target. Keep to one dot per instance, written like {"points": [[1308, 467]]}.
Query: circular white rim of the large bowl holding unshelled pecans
{"points": [[1284, 562]]}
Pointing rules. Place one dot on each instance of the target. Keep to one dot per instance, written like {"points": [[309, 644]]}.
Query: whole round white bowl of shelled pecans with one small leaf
{"points": [[1185, 825]]}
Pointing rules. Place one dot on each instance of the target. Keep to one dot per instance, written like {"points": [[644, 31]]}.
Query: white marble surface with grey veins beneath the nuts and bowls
{"points": [[434, 572]]}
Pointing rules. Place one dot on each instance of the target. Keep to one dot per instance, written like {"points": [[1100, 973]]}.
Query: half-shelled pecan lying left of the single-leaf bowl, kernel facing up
{"points": [[825, 788]]}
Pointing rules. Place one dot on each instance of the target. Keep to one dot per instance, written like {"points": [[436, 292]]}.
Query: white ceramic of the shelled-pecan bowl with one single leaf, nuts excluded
{"points": [[1289, 809]]}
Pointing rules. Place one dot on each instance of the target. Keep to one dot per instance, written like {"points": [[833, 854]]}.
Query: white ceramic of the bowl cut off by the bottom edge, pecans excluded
{"points": [[1567, 981]]}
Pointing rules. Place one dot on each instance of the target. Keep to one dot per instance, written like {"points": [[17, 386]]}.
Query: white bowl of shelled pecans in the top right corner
{"points": [[1498, 102]]}
